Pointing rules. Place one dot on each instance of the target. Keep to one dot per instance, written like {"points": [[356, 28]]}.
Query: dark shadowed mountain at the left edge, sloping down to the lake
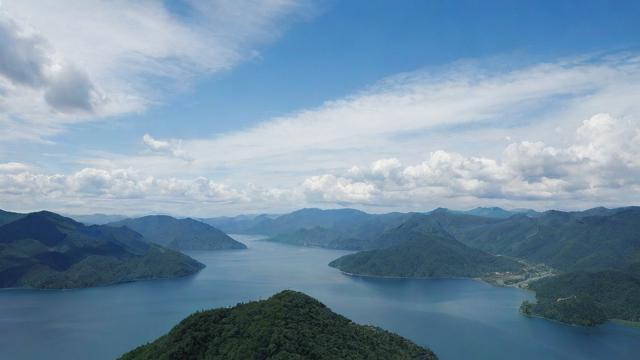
{"points": [[46, 250]]}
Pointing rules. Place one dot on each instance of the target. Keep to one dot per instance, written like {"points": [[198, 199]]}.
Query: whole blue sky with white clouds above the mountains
{"points": [[207, 108]]}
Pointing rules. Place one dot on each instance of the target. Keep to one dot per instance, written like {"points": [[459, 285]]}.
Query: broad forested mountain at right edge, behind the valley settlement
{"points": [[568, 241]]}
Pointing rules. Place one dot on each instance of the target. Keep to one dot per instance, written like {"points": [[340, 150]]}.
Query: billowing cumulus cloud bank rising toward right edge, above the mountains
{"points": [[603, 160]]}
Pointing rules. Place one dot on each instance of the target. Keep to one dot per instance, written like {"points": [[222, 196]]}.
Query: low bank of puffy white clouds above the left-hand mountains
{"points": [[124, 189]]}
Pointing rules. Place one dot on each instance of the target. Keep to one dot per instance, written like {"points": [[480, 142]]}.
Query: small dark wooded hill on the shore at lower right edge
{"points": [[586, 298]]}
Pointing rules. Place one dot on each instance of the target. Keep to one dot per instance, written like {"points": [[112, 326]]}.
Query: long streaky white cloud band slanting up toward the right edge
{"points": [[405, 115]]}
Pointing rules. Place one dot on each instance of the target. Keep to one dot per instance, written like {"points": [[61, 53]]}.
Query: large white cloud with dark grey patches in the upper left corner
{"points": [[63, 62]]}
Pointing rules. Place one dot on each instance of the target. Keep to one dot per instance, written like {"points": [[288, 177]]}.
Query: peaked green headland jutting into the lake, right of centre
{"points": [[420, 250]]}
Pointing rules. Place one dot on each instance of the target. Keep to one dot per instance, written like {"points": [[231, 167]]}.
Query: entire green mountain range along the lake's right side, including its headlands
{"points": [[588, 246]]}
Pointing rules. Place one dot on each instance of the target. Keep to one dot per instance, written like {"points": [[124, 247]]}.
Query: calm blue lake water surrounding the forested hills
{"points": [[458, 319]]}
